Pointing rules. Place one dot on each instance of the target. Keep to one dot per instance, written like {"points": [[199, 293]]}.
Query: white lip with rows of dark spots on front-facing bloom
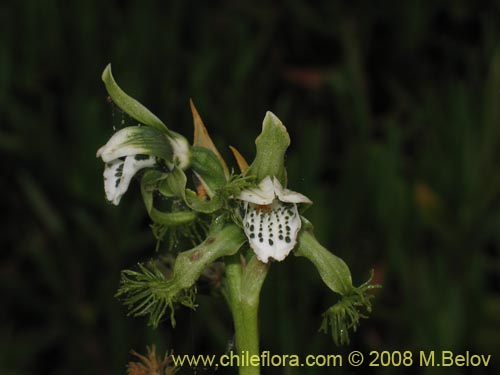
{"points": [[272, 233]]}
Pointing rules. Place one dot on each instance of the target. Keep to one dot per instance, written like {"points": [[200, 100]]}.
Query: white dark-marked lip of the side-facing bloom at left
{"points": [[119, 173]]}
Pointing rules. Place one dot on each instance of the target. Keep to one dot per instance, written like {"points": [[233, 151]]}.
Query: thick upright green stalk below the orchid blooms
{"points": [[242, 291]]}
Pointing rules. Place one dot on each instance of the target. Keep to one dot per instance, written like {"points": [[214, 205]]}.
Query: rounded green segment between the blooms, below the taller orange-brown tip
{"points": [[208, 169]]}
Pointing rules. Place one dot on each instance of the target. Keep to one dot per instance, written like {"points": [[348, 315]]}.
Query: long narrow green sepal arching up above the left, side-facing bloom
{"points": [[129, 105]]}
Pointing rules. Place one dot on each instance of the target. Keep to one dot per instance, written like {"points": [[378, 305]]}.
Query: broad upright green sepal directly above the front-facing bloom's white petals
{"points": [[271, 146]]}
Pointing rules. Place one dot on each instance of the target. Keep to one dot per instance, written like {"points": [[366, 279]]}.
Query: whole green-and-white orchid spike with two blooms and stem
{"points": [[241, 222]]}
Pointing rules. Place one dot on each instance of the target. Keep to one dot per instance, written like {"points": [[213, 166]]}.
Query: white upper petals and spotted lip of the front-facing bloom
{"points": [[270, 218]]}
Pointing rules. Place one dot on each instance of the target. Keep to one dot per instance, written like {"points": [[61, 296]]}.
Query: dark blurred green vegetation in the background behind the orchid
{"points": [[394, 114]]}
